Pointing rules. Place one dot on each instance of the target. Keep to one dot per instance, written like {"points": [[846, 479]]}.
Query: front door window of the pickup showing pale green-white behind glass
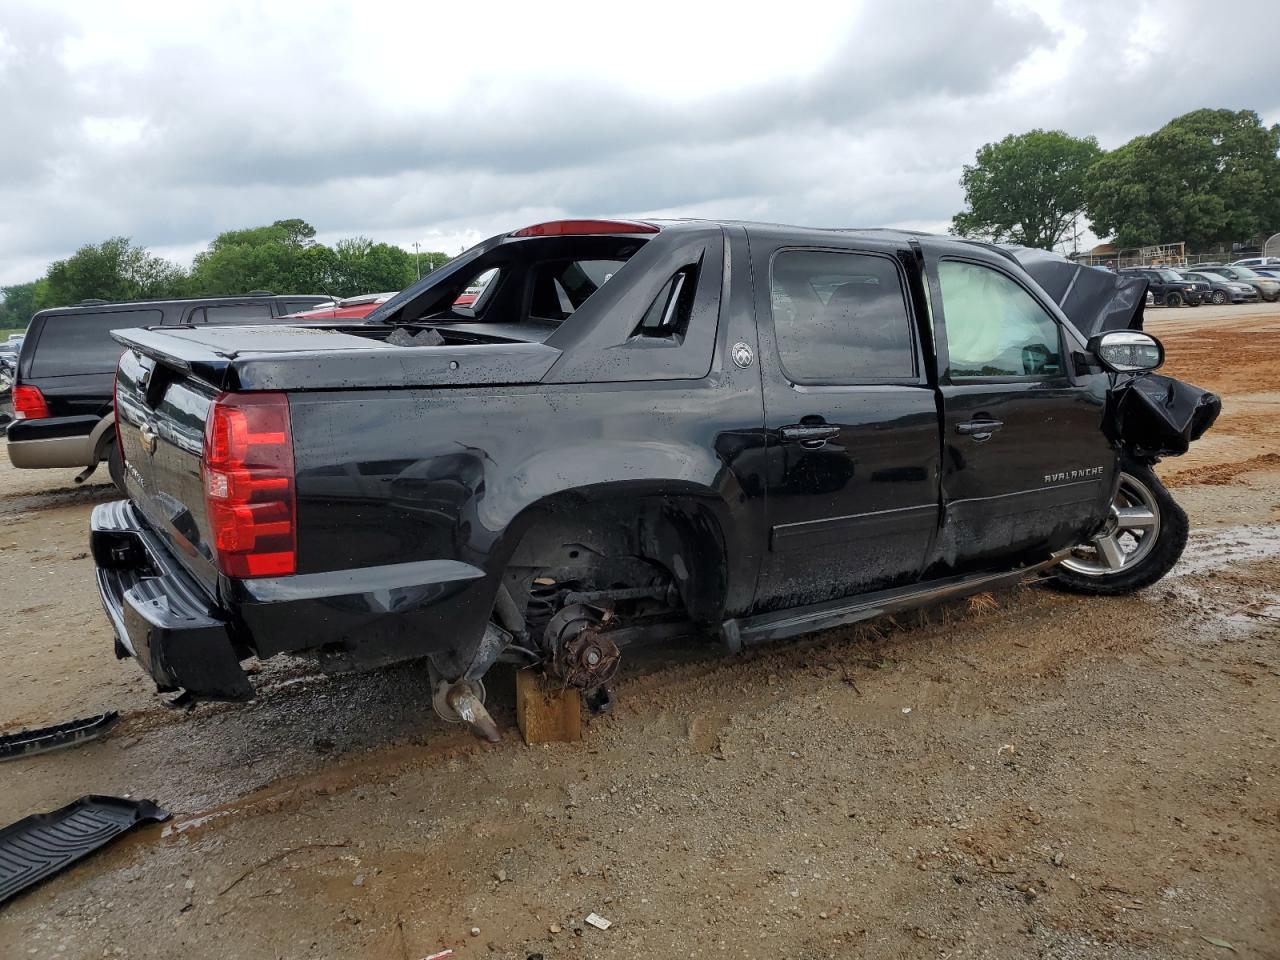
{"points": [[995, 328]]}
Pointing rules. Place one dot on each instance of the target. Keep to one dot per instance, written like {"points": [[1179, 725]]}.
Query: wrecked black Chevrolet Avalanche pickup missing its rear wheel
{"points": [[637, 431]]}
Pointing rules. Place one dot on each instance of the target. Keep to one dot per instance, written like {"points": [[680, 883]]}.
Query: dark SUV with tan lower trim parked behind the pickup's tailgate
{"points": [[62, 395]]}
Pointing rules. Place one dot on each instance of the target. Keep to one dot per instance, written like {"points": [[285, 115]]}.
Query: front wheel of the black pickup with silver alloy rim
{"points": [[1144, 509]]}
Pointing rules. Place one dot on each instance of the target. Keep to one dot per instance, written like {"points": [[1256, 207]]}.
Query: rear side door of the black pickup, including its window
{"points": [[852, 423]]}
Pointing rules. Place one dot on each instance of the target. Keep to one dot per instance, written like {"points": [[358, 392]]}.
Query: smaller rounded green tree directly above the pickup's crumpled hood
{"points": [[1028, 189]]}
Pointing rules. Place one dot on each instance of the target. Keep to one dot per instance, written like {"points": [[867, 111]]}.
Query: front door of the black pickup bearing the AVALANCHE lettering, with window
{"points": [[1027, 468]]}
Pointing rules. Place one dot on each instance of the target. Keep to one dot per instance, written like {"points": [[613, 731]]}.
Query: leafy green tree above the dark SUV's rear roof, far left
{"points": [[113, 269]]}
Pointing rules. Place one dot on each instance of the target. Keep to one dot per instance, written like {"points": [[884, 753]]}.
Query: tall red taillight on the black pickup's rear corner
{"points": [[249, 486]]}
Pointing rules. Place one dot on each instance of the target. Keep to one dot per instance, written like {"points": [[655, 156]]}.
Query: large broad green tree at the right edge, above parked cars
{"points": [[1206, 177]]}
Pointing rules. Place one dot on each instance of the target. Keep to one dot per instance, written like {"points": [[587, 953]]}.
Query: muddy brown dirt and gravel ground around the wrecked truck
{"points": [[1032, 775]]}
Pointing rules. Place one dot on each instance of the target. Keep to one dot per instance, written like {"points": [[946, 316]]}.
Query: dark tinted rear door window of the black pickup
{"points": [[842, 318]]}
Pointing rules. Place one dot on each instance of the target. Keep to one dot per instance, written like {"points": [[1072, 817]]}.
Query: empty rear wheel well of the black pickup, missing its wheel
{"points": [[616, 542]]}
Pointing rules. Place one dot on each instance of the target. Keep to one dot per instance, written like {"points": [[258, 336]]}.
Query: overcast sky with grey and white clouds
{"points": [[170, 122]]}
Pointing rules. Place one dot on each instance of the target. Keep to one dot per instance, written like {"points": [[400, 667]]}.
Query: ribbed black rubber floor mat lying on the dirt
{"points": [[42, 845]]}
